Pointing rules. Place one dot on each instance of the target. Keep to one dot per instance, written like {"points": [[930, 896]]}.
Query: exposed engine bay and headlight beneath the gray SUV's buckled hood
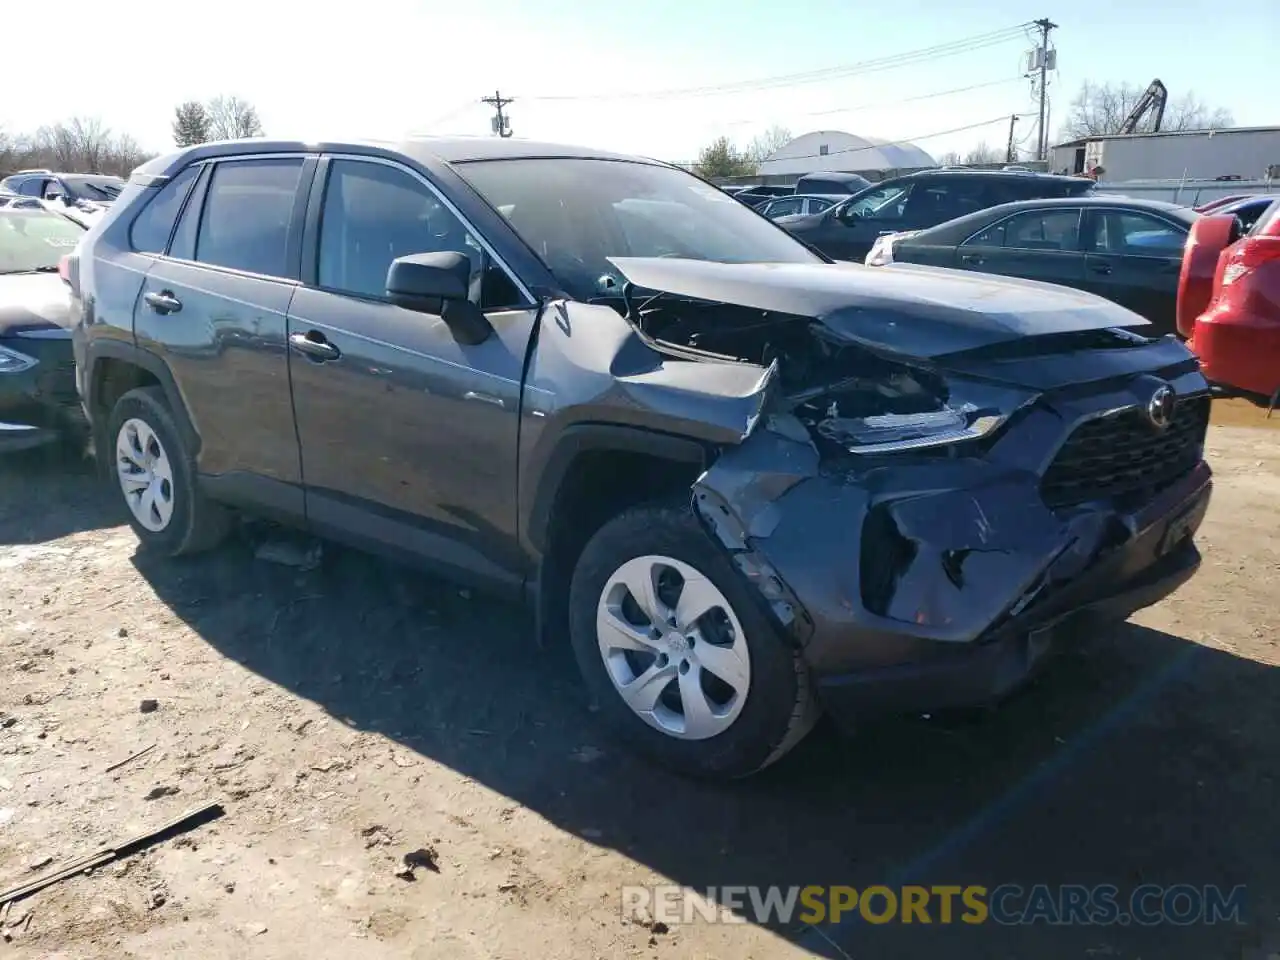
{"points": [[845, 395]]}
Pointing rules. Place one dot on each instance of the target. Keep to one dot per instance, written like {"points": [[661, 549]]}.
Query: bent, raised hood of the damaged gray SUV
{"points": [[906, 309]]}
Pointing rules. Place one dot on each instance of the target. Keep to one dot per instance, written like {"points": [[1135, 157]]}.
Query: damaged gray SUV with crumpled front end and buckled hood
{"points": [[747, 484]]}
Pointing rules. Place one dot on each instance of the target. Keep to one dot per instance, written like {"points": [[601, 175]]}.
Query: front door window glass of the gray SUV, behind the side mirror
{"points": [[374, 214]]}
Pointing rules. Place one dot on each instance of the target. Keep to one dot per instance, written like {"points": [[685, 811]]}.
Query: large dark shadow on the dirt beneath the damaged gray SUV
{"points": [[1104, 772]]}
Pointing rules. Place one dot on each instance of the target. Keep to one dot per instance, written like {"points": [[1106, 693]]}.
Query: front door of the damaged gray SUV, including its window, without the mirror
{"points": [[409, 438]]}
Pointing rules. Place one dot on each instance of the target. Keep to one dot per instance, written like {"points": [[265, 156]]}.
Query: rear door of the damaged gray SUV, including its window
{"points": [[214, 308]]}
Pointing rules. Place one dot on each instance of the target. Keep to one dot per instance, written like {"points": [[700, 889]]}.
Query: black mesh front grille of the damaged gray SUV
{"points": [[1124, 458]]}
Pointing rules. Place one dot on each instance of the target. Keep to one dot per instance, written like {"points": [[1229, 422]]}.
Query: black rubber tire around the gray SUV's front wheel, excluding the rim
{"points": [[780, 707]]}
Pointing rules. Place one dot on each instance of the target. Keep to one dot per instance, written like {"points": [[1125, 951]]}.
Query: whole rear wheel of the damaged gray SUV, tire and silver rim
{"points": [[156, 476]]}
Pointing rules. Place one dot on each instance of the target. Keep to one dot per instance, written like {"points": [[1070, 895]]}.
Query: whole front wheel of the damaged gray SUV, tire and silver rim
{"points": [[679, 655]]}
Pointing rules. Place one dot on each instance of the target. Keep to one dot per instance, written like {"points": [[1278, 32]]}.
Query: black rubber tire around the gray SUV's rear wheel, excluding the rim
{"points": [[198, 524]]}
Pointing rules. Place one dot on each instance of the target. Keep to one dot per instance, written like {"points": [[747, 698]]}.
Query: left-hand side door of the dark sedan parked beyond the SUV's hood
{"points": [[1035, 245]]}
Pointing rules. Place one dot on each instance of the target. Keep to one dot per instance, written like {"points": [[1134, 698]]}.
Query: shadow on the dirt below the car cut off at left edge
{"points": [[72, 497]]}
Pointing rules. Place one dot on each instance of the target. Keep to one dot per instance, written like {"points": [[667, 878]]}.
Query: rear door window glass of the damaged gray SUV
{"points": [[246, 218]]}
